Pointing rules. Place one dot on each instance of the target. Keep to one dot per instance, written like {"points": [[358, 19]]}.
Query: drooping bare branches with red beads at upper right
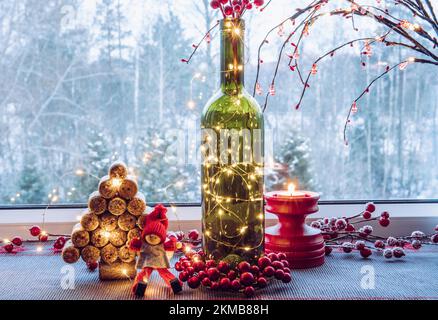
{"points": [[415, 38]]}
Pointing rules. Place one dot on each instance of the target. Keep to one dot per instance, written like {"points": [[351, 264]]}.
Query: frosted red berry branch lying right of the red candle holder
{"points": [[345, 235]]}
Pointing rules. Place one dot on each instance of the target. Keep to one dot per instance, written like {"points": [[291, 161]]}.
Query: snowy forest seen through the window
{"points": [[85, 82]]}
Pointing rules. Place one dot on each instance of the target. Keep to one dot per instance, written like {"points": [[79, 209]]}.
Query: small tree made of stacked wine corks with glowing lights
{"points": [[108, 224]]}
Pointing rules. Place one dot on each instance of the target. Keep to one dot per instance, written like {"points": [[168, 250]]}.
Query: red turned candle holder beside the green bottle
{"points": [[303, 245]]}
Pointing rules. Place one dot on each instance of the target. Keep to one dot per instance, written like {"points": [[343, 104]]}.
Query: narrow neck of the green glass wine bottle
{"points": [[232, 56]]}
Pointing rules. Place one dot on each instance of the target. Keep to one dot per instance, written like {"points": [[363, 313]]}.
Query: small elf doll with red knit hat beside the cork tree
{"points": [[153, 249]]}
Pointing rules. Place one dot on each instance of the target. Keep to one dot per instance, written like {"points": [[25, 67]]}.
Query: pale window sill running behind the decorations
{"points": [[406, 217]]}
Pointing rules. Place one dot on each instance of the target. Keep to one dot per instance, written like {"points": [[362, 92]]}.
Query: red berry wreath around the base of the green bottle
{"points": [[244, 277]]}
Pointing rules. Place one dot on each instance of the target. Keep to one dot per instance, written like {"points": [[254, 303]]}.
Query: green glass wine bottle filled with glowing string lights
{"points": [[232, 163]]}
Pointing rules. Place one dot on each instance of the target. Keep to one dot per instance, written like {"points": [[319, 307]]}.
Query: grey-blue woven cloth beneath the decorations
{"points": [[40, 276]]}
